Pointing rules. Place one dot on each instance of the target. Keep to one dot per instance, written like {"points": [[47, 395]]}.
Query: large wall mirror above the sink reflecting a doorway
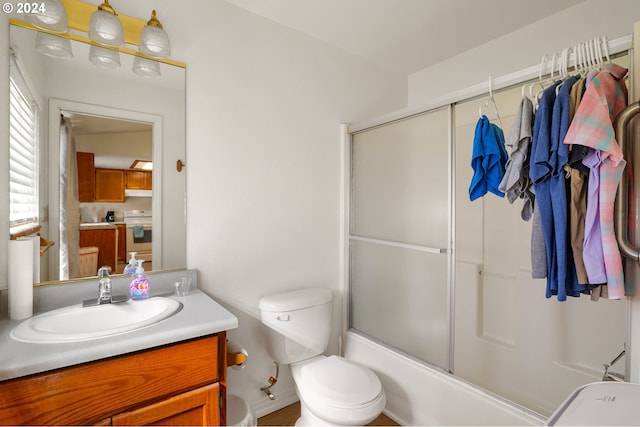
{"points": [[103, 110]]}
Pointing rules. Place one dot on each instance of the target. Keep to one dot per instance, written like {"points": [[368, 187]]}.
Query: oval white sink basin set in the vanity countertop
{"points": [[78, 323]]}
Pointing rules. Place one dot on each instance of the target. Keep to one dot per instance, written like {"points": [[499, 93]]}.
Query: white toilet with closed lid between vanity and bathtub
{"points": [[332, 390]]}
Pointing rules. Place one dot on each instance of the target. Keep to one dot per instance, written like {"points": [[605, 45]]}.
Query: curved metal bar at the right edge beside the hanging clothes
{"points": [[621, 125]]}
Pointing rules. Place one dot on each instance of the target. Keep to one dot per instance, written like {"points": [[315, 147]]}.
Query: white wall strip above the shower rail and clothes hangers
{"points": [[525, 47]]}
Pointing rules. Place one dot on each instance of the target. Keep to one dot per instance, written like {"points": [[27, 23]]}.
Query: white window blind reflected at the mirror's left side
{"points": [[23, 153]]}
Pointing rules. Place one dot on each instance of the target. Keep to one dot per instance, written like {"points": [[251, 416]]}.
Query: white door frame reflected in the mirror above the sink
{"points": [[55, 108]]}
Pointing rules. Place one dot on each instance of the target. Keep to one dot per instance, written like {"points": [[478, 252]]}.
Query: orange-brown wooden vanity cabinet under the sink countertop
{"points": [[179, 384]]}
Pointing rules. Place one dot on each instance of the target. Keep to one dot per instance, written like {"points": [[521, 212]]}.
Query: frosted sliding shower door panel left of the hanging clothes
{"points": [[400, 234]]}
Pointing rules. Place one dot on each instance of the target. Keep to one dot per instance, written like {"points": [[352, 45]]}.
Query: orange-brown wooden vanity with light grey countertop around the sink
{"points": [[172, 372]]}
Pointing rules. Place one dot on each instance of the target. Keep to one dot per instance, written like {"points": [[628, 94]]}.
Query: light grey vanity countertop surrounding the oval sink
{"points": [[200, 316]]}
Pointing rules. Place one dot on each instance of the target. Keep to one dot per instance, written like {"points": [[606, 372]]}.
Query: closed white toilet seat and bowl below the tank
{"points": [[339, 390]]}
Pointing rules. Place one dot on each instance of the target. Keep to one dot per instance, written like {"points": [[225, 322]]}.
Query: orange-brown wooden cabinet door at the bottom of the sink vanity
{"points": [[194, 408]]}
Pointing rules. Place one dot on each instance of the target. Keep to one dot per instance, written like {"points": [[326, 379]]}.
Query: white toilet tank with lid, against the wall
{"points": [[298, 323]]}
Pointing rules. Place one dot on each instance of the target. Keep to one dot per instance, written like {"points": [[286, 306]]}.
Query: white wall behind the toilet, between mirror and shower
{"points": [[264, 105]]}
